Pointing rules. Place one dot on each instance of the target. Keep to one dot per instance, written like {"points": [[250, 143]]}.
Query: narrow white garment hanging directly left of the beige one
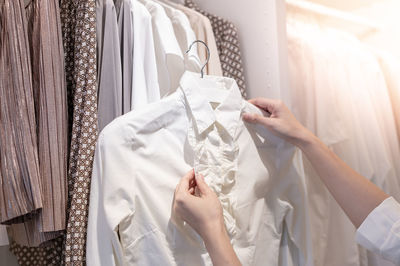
{"points": [[185, 37]]}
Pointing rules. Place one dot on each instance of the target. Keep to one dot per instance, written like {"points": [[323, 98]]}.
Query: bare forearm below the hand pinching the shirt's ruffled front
{"points": [[220, 249]]}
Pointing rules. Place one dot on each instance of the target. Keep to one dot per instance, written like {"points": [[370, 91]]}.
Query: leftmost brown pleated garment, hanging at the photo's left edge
{"points": [[20, 197]]}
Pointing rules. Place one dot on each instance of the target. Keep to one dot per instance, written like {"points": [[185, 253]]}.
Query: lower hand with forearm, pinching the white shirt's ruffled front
{"points": [[203, 213]]}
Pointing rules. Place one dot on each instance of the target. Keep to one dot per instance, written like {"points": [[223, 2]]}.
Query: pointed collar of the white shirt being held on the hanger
{"points": [[228, 111]]}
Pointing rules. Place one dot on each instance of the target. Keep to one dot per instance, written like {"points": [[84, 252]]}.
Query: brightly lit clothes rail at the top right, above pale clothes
{"points": [[327, 13]]}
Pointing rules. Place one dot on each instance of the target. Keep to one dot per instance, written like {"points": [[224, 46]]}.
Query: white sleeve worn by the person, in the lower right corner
{"points": [[380, 232]]}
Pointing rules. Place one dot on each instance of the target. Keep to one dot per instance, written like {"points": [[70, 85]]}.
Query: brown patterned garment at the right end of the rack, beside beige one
{"points": [[226, 36]]}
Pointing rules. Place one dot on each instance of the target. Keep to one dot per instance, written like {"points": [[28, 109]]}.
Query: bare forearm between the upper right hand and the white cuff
{"points": [[355, 194]]}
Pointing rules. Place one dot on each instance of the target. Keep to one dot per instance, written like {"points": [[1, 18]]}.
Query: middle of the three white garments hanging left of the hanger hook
{"points": [[170, 60]]}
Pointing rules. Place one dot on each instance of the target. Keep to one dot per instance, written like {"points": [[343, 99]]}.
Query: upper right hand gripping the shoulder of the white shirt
{"points": [[281, 122]]}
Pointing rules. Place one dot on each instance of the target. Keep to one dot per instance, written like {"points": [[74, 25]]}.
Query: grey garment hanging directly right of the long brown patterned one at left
{"points": [[109, 76]]}
